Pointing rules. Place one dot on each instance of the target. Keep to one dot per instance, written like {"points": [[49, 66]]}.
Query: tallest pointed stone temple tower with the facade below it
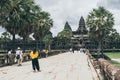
{"points": [[80, 36]]}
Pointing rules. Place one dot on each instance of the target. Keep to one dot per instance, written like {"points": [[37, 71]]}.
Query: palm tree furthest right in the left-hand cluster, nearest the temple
{"points": [[43, 25]]}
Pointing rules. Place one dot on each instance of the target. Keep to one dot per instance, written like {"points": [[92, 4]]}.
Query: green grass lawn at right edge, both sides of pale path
{"points": [[114, 55]]}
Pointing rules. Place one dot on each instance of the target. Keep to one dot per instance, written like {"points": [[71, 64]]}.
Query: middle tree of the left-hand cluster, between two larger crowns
{"points": [[28, 21]]}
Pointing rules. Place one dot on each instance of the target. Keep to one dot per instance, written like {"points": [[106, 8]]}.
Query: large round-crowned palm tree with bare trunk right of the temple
{"points": [[100, 23]]}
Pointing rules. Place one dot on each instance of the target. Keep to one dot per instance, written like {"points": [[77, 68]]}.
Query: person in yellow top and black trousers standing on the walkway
{"points": [[35, 63]]}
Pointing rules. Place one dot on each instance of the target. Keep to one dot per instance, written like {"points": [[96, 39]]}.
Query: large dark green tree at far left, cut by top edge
{"points": [[15, 19]]}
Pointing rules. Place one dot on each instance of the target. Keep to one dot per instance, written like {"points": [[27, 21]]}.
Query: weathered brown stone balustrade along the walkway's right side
{"points": [[107, 70]]}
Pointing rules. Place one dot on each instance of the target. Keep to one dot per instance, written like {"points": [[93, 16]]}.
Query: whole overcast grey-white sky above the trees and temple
{"points": [[71, 11]]}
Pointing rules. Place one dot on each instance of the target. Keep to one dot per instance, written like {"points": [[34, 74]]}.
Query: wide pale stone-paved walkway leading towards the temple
{"points": [[66, 66]]}
